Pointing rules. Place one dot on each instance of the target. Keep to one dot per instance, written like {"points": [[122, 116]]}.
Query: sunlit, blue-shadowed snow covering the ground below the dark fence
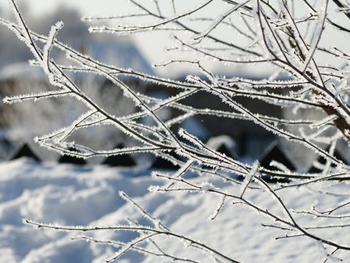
{"points": [[65, 194]]}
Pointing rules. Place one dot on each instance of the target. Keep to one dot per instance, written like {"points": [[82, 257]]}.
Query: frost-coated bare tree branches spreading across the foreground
{"points": [[309, 76]]}
